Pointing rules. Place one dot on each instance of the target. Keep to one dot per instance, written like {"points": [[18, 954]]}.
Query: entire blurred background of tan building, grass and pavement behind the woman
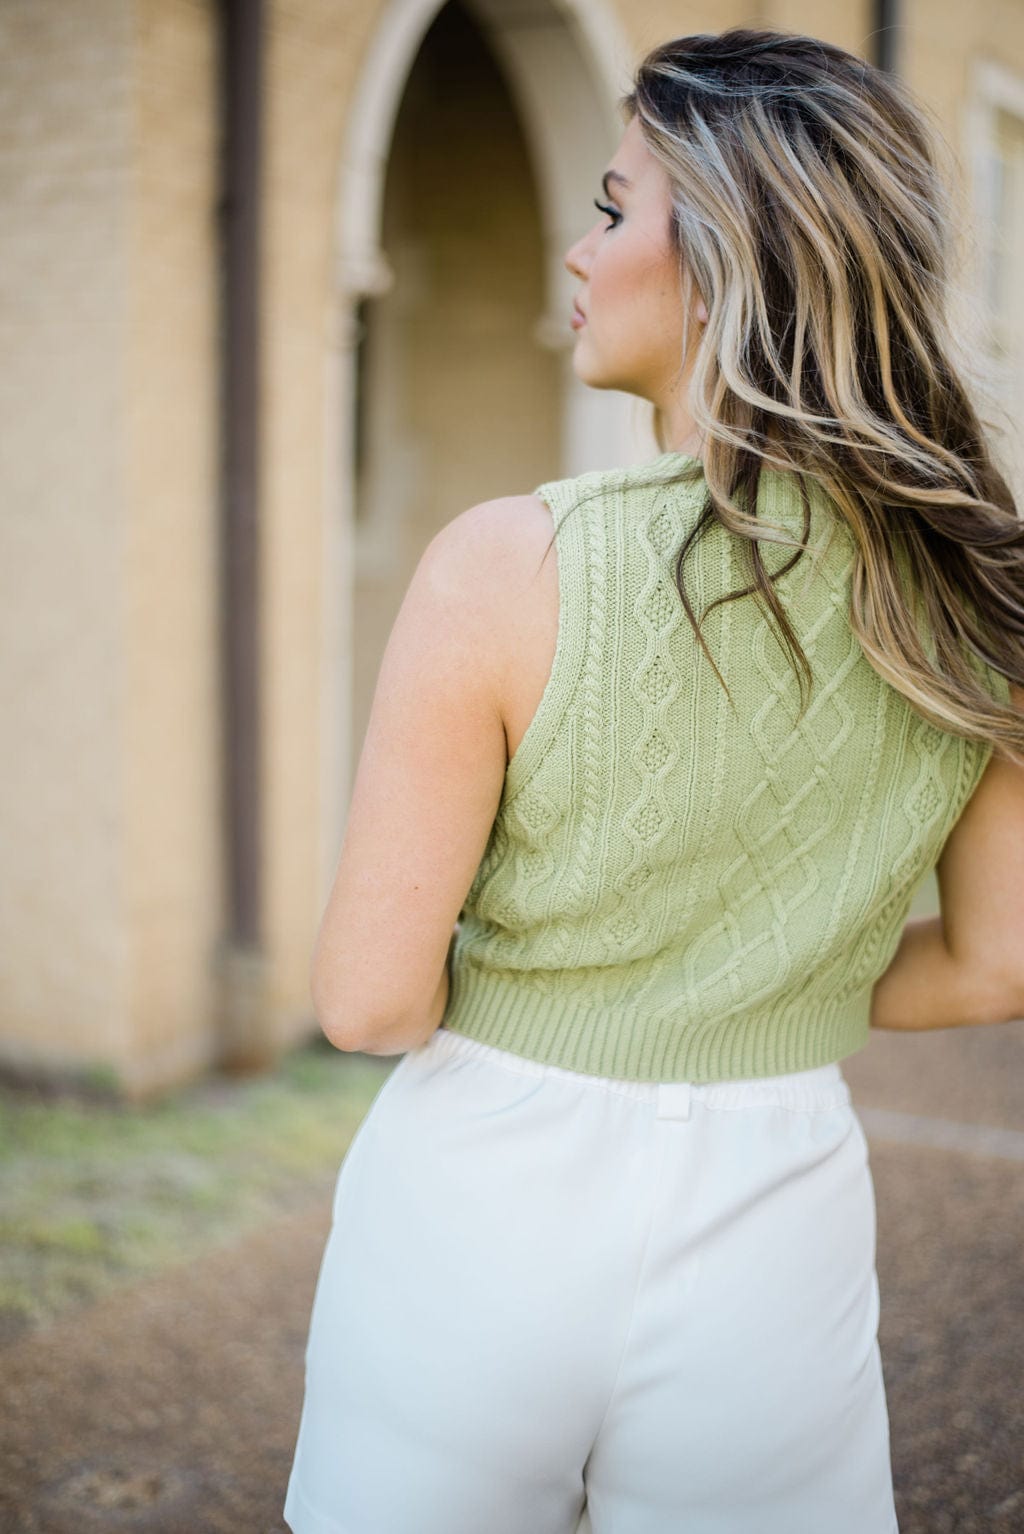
{"points": [[281, 294]]}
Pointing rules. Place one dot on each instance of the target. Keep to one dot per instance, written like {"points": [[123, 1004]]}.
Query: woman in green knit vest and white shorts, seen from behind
{"points": [[605, 1243]]}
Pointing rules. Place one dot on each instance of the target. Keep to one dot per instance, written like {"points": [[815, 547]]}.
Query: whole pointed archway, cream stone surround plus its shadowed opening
{"points": [[476, 145]]}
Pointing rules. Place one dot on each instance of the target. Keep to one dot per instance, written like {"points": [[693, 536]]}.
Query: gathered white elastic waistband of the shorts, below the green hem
{"points": [[821, 1087]]}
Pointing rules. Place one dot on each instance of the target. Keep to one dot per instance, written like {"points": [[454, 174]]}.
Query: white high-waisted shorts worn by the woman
{"points": [[554, 1303]]}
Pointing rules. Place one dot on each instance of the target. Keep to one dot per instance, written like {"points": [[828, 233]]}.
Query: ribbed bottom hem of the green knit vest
{"points": [[565, 1032]]}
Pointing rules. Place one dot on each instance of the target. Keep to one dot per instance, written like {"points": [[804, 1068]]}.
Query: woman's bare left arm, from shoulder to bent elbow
{"points": [[425, 795]]}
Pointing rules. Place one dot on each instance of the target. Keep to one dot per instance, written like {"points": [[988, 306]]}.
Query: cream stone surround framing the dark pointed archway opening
{"points": [[563, 68]]}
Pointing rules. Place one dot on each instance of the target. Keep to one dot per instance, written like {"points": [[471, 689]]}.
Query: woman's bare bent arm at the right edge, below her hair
{"points": [[968, 966]]}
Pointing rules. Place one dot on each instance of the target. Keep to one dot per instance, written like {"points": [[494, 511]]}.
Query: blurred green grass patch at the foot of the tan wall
{"points": [[97, 1194]]}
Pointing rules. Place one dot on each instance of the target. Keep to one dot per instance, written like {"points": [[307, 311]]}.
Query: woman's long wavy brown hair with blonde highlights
{"points": [[810, 216]]}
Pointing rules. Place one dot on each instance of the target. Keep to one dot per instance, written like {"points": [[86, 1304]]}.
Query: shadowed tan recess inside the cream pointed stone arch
{"points": [[458, 403]]}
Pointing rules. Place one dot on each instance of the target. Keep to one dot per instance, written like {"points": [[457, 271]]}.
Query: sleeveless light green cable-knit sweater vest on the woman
{"points": [[678, 887]]}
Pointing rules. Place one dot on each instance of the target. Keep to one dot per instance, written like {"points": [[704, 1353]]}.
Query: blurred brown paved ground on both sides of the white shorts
{"points": [[172, 1407]]}
